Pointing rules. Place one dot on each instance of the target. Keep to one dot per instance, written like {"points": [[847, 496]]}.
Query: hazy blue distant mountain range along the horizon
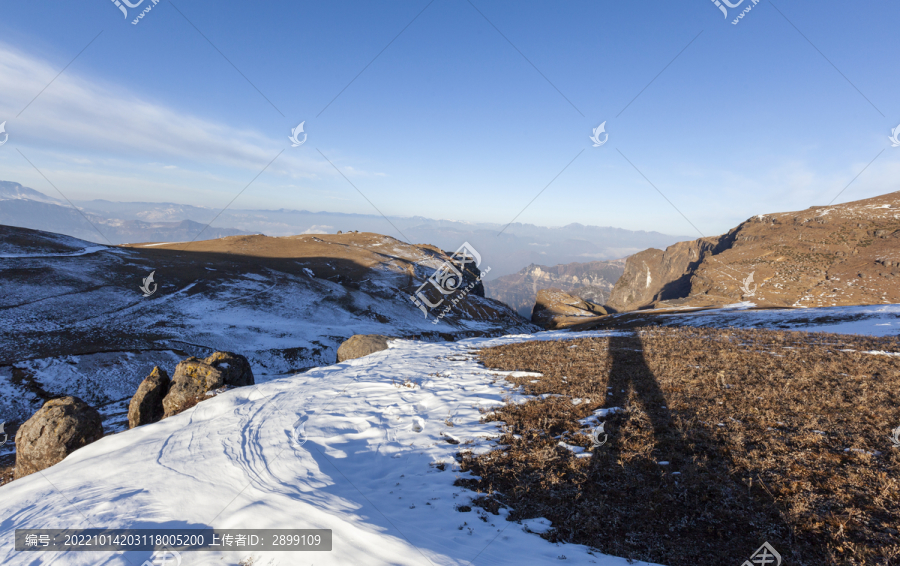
{"points": [[518, 246]]}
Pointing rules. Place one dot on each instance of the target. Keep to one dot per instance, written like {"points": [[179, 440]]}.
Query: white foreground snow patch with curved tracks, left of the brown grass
{"points": [[377, 468]]}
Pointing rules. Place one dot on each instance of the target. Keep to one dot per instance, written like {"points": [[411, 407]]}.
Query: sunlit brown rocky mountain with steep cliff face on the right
{"points": [[846, 254]]}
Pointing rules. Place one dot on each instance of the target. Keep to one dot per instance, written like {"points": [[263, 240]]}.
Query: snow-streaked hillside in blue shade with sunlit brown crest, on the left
{"points": [[74, 320]]}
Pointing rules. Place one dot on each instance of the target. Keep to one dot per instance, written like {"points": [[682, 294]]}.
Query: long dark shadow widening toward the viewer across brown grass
{"points": [[671, 495]]}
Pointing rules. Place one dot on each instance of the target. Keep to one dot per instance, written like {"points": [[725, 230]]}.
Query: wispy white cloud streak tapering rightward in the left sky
{"points": [[81, 115]]}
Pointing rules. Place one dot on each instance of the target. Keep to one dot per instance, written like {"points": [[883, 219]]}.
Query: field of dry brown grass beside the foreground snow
{"points": [[755, 422]]}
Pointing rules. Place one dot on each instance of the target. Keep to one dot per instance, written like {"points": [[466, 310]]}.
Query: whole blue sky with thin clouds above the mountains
{"points": [[450, 120]]}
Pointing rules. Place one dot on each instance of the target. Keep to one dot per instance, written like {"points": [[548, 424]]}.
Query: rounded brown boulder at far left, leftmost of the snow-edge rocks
{"points": [[56, 430]]}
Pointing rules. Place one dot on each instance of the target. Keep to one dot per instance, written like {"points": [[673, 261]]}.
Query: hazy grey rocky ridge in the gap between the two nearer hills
{"points": [[591, 281]]}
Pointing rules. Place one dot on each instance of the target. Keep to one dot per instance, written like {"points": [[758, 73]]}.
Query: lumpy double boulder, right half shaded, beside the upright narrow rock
{"points": [[194, 377]]}
